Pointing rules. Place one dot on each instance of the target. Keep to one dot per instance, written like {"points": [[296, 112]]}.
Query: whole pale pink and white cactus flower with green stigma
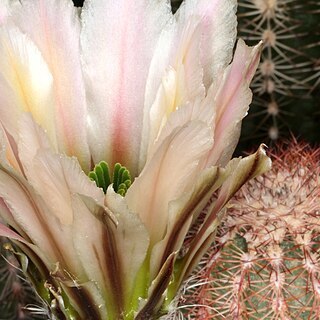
{"points": [[117, 125]]}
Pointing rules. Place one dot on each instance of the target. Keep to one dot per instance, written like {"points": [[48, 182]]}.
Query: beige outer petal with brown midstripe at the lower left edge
{"points": [[51, 240]]}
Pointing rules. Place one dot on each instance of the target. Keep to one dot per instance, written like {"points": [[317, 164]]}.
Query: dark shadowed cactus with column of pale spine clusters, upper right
{"points": [[286, 88]]}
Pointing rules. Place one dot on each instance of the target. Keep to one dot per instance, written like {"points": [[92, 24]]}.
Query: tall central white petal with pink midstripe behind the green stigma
{"points": [[118, 40]]}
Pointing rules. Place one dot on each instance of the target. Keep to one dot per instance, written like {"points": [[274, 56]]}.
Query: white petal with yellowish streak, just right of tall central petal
{"points": [[175, 78]]}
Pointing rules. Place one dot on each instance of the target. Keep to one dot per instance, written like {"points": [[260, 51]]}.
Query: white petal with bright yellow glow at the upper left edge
{"points": [[27, 82]]}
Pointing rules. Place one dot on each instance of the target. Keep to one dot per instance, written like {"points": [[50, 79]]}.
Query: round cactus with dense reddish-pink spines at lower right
{"points": [[265, 263]]}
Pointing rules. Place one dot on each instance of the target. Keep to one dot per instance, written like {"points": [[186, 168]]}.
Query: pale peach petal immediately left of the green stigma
{"points": [[55, 177]]}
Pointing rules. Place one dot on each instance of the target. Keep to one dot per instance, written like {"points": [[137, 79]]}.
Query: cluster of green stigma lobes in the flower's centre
{"points": [[121, 179]]}
